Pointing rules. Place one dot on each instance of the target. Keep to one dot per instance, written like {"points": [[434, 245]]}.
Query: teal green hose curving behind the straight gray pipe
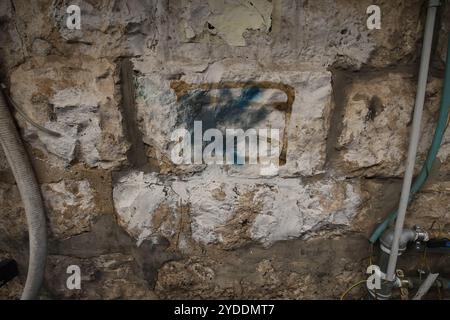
{"points": [[432, 152]]}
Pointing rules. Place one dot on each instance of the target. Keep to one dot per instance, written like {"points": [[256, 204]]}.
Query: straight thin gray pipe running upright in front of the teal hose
{"points": [[415, 135]]}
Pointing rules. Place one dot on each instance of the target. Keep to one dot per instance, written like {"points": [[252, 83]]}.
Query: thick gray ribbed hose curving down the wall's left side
{"points": [[31, 199]]}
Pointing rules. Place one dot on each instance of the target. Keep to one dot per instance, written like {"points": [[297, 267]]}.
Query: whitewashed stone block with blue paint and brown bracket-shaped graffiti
{"points": [[165, 105]]}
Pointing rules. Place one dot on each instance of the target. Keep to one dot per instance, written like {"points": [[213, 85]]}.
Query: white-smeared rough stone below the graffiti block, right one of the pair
{"points": [[294, 209]]}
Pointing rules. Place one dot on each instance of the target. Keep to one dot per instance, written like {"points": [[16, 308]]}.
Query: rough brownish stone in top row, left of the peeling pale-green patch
{"points": [[108, 28]]}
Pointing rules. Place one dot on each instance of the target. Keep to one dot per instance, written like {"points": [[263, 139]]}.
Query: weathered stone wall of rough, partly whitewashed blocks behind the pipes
{"points": [[141, 227]]}
